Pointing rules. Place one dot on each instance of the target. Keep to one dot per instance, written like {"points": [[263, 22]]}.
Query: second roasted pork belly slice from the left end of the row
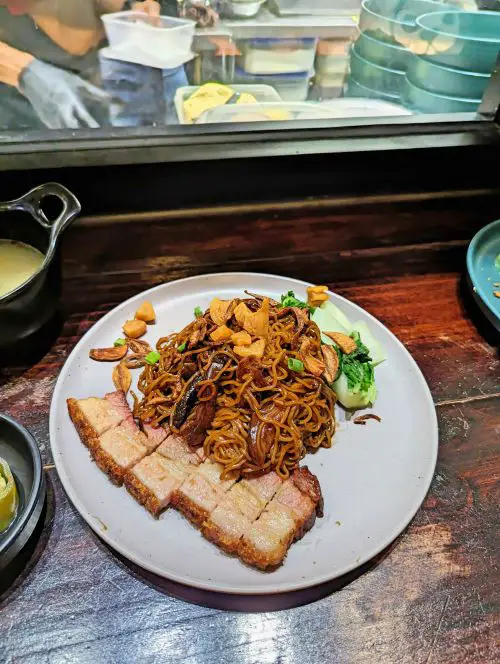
{"points": [[119, 449]]}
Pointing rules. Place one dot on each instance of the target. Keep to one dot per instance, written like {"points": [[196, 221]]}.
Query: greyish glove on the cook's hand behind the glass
{"points": [[59, 97]]}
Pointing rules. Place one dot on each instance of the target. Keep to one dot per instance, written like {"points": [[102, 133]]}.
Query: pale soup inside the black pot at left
{"points": [[18, 262]]}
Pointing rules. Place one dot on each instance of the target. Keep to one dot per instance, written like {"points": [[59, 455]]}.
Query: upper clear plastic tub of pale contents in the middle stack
{"points": [[277, 56]]}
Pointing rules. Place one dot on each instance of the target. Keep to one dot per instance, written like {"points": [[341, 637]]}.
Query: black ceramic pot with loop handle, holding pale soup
{"points": [[30, 307]]}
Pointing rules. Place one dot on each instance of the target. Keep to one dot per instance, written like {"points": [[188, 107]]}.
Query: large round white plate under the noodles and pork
{"points": [[374, 478]]}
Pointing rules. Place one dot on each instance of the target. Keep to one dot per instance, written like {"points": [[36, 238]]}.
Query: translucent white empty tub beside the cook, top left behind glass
{"points": [[165, 41]]}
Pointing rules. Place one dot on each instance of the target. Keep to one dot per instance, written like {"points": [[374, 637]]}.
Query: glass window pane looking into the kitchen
{"points": [[70, 64]]}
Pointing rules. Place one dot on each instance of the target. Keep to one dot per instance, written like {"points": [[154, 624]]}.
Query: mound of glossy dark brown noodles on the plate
{"points": [[289, 412]]}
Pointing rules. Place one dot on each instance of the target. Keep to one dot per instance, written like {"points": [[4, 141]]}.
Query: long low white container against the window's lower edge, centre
{"points": [[275, 112]]}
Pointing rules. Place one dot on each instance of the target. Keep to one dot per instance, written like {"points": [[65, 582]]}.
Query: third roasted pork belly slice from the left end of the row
{"points": [[154, 480]]}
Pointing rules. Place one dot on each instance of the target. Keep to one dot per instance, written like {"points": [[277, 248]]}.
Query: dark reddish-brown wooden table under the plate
{"points": [[431, 597]]}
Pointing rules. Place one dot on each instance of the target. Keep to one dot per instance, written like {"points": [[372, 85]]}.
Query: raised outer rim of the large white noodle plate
{"points": [[368, 554]]}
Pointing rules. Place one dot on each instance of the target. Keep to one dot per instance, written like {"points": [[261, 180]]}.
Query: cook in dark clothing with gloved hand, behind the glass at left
{"points": [[49, 66]]}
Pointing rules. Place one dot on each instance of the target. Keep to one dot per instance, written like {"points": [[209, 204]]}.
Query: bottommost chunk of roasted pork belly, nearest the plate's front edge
{"points": [[266, 542]]}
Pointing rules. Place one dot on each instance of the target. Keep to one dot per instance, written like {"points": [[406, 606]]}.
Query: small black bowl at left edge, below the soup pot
{"points": [[19, 449]]}
